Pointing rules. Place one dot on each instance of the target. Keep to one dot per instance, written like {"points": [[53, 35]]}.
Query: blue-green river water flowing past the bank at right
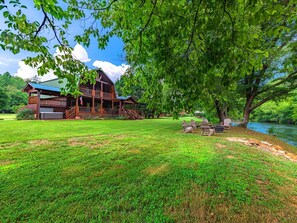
{"points": [[287, 133]]}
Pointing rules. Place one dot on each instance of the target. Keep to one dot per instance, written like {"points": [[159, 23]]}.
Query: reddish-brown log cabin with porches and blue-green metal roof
{"points": [[97, 100]]}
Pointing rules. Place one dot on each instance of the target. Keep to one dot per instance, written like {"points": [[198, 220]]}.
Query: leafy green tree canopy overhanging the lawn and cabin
{"points": [[213, 51]]}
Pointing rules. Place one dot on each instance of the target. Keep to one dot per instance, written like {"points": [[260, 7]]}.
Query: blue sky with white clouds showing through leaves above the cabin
{"points": [[111, 59]]}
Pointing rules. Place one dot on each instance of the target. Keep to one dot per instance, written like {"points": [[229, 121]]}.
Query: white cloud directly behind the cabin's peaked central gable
{"points": [[113, 71]]}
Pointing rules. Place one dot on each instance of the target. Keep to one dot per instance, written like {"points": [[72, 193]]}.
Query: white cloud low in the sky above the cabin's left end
{"points": [[25, 71]]}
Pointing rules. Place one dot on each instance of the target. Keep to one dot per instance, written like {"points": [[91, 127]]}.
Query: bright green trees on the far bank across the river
{"points": [[284, 111]]}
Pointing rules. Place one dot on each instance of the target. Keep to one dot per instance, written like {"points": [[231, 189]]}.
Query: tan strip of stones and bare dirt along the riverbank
{"points": [[265, 146]]}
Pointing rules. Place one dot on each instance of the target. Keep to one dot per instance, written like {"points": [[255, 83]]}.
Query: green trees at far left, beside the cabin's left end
{"points": [[11, 95]]}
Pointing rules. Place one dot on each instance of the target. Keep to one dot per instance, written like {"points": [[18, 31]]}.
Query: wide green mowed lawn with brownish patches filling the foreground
{"points": [[139, 171]]}
